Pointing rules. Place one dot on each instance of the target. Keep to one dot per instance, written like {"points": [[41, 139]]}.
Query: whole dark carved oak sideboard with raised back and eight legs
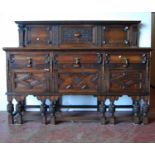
{"points": [[99, 58]]}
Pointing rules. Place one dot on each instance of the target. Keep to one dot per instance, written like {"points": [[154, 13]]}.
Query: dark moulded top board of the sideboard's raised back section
{"points": [[72, 22]]}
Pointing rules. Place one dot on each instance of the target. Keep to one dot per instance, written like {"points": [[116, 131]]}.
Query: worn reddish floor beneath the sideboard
{"points": [[79, 127]]}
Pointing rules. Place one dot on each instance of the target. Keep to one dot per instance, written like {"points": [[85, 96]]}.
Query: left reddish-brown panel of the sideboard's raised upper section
{"points": [[38, 35]]}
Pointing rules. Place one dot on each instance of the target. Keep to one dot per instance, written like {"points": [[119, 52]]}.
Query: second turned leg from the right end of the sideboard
{"points": [[136, 111]]}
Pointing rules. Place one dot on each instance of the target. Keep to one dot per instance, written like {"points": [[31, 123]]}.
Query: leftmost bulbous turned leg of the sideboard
{"points": [[10, 109]]}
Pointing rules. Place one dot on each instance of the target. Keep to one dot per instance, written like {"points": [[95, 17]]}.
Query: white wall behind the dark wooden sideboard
{"points": [[9, 33]]}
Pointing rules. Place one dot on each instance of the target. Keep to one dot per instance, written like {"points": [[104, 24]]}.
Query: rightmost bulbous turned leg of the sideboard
{"points": [[145, 111]]}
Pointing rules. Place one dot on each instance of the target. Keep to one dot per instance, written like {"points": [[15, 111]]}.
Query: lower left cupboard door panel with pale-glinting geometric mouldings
{"points": [[36, 82]]}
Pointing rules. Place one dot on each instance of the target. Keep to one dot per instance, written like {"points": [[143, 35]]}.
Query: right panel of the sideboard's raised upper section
{"points": [[119, 36]]}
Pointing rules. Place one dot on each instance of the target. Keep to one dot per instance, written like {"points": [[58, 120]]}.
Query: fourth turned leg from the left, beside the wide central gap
{"points": [[52, 109]]}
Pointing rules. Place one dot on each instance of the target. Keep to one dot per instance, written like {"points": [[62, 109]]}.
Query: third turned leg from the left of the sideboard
{"points": [[43, 110]]}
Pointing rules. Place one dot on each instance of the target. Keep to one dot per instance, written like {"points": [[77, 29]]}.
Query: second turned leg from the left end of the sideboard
{"points": [[19, 112]]}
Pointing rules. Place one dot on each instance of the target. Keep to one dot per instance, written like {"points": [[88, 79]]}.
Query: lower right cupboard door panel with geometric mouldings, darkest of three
{"points": [[126, 81]]}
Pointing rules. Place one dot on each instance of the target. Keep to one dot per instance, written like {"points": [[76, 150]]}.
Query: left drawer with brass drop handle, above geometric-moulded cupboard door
{"points": [[29, 61]]}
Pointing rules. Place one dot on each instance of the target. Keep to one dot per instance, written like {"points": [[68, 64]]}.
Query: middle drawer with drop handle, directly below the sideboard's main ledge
{"points": [[78, 60]]}
